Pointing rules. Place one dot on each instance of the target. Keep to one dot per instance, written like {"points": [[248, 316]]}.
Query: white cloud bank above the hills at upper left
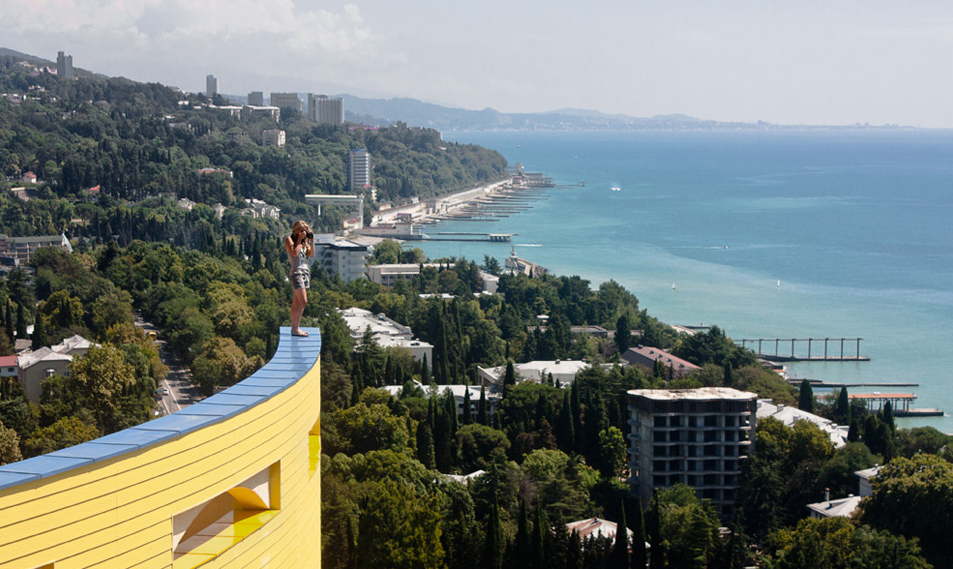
{"points": [[274, 36]]}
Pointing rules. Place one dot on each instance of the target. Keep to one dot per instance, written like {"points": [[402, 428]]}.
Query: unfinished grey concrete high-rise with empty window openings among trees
{"points": [[698, 437]]}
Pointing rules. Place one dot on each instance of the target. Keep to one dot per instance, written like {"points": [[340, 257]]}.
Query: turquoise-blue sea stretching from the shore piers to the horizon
{"points": [[767, 234]]}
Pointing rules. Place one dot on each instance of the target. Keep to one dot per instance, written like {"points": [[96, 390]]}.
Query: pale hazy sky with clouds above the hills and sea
{"points": [[805, 61]]}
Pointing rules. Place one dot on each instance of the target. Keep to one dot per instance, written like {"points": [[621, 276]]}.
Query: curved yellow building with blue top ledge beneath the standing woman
{"points": [[230, 482]]}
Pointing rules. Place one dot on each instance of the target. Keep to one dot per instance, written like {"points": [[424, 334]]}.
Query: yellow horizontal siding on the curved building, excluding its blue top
{"points": [[118, 513]]}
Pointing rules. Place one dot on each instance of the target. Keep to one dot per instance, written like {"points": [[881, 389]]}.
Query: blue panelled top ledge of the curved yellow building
{"points": [[295, 357]]}
